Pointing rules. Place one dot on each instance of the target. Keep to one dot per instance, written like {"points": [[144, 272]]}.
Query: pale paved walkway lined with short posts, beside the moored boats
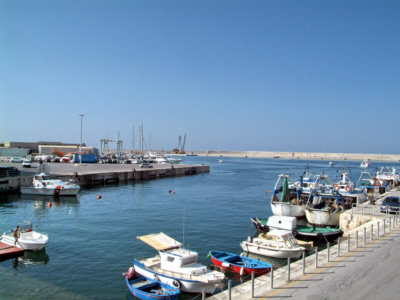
{"points": [[366, 268]]}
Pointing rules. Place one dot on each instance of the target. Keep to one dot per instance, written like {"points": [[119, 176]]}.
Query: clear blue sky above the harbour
{"points": [[233, 75]]}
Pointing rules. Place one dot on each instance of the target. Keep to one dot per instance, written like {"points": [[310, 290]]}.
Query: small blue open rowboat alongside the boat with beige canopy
{"points": [[148, 289]]}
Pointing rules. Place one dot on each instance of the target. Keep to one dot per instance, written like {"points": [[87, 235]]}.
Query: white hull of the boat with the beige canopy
{"points": [[185, 285]]}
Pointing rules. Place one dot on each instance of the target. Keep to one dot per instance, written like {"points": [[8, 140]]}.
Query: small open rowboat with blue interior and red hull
{"points": [[239, 264]]}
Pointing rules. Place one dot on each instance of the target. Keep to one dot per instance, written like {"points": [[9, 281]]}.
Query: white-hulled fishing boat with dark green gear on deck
{"points": [[286, 200]]}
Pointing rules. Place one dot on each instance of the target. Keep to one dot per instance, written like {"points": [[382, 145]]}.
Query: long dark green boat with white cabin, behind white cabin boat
{"points": [[300, 232]]}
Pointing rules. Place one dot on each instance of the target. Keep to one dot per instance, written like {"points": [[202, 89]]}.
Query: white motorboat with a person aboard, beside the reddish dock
{"points": [[28, 240]]}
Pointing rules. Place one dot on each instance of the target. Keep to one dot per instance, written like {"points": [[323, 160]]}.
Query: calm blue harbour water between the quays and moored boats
{"points": [[93, 241]]}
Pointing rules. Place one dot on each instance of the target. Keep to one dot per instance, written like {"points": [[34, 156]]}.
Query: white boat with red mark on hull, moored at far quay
{"points": [[43, 185]]}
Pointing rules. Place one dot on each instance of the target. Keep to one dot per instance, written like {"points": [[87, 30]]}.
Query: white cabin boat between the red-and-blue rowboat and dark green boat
{"points": [[275, 243]]}
